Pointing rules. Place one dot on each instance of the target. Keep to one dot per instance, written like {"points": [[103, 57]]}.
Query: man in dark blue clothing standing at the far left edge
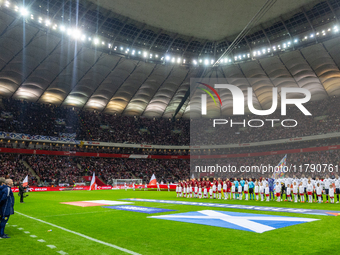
{"points": [[6, 205]]}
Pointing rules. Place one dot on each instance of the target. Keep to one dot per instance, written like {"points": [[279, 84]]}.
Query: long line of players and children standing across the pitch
{"points": [[262, 188]]}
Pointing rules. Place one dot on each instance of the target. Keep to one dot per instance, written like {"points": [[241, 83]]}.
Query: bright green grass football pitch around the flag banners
{"points": [[54, 228]]}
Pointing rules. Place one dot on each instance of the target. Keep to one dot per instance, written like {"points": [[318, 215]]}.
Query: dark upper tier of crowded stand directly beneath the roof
{"points": [[49, 120]]}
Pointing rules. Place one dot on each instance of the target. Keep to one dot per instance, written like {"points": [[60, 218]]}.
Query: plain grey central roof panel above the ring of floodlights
{"points": [[212, 20]]}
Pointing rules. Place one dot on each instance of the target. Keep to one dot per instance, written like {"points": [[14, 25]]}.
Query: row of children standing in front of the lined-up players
{"points": [[259, 189]]}
